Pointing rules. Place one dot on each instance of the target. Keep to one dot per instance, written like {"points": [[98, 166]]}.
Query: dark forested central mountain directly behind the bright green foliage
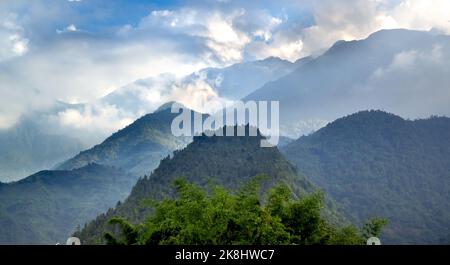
{"points": [[228, 161]]}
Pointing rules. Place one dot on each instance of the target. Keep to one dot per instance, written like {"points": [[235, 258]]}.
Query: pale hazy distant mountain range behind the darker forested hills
{"points": [[373, 73]]}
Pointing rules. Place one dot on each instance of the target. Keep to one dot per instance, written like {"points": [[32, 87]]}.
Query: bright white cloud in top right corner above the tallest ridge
{"points": [[356, 19]]}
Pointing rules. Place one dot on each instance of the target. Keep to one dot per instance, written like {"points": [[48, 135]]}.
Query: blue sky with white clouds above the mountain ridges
{"points": [[77, 51]]}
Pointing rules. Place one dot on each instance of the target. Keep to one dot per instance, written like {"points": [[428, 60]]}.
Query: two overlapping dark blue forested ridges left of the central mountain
{"points": [[45, 208]]}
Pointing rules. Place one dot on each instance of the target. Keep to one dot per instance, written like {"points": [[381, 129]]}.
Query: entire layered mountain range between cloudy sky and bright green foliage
{"points": [[370, 163]]}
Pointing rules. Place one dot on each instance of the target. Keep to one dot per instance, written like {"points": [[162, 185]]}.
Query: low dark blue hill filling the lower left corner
{"points": [[46, 207]]}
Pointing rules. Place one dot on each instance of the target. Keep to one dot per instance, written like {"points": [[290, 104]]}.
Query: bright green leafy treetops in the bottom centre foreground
{"points": [[219, 217]]}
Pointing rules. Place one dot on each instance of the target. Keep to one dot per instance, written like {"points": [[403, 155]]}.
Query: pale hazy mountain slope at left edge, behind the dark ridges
{"points": [[27, 148]]}
